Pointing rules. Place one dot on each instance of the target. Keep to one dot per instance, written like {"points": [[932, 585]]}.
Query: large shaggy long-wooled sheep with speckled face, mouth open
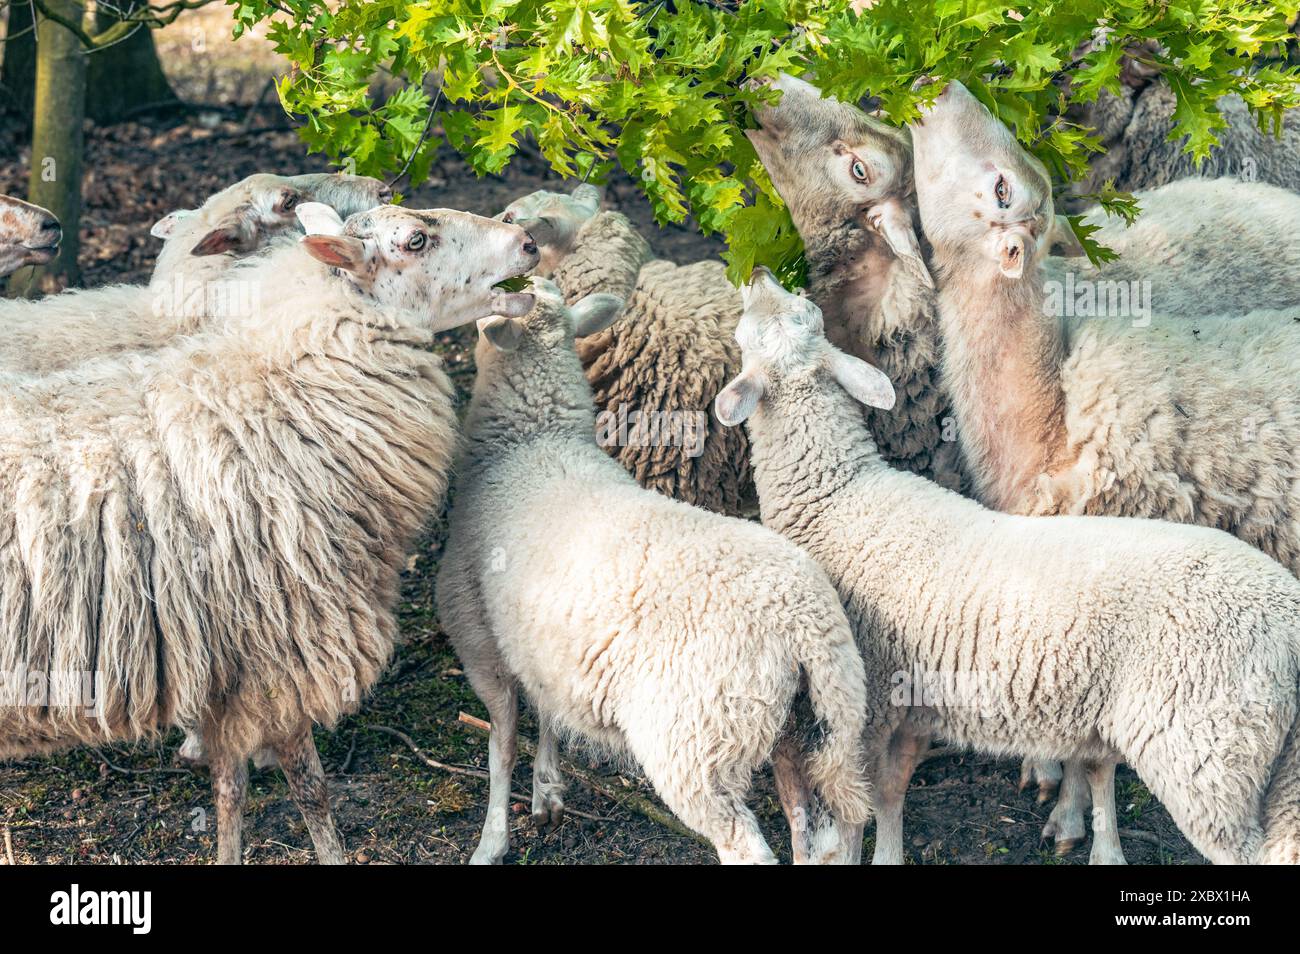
{"points": [[215, 530]]}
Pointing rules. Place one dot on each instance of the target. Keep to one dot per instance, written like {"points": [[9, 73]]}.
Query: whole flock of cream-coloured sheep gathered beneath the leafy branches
{"points": [[1068, 540]]}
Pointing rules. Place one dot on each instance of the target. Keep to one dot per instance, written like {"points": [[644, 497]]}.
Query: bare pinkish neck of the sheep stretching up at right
{"points": [[1003, 368]]}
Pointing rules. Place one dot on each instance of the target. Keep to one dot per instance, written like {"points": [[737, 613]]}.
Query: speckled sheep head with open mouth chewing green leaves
{"points": [[439, 264]]}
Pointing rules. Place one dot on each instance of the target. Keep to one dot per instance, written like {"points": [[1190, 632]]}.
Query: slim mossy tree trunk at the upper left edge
{"points": [[58, 145]]}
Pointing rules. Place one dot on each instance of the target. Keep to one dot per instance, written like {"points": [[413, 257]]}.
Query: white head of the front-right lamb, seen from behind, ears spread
{"points": [[783, 342]]}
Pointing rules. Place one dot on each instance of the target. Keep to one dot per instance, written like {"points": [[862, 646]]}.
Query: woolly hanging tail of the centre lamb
{"points": [[839, 697]]}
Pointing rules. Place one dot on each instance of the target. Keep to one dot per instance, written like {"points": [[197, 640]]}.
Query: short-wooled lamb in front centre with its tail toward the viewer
{"points": [[652, 630]]}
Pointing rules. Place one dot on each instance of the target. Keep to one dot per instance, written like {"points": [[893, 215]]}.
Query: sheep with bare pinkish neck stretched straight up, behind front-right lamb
{"points": [[1194, 422]]}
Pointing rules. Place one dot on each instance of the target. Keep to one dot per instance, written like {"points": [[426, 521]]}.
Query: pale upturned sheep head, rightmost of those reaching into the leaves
{"points": [[985, 202]]}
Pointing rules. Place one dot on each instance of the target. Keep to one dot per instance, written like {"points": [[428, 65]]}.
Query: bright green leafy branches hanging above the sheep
{"points": [[660, 88]]}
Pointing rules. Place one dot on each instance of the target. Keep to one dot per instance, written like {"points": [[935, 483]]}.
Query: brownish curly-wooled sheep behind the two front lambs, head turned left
{"points": [[656, 371]]}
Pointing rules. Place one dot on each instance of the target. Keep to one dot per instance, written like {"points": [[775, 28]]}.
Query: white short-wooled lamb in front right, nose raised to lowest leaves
{"points": [[1173, 648]]}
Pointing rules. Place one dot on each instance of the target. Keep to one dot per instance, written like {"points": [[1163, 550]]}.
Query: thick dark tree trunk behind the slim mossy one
{"points": [[125, 79]]}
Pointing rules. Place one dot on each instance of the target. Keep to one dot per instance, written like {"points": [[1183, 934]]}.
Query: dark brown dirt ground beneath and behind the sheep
{"points": [[137, 805]]}
